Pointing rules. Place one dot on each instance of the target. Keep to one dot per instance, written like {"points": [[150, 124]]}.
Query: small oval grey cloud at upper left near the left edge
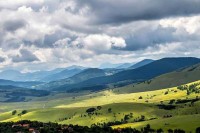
{"points": [[13, 25]]}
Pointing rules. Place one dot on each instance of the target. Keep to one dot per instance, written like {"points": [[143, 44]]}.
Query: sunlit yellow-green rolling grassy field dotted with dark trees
{"points": [[67, 109]]}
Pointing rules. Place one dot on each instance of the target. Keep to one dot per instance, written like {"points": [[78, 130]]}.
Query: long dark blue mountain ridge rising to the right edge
{"points": [[143, 73]]}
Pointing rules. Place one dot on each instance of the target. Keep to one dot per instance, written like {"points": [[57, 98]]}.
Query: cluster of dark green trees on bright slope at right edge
{"points": [[193, 88]]}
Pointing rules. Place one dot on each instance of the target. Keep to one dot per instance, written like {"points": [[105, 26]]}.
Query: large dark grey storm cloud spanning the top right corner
{"points": [[119, 11]]}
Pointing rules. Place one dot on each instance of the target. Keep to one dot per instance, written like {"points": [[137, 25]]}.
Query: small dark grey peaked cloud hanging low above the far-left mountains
{"points": [[25, 56]]}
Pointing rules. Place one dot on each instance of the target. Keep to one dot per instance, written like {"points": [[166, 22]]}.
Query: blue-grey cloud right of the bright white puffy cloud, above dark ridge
{"points": [[141, 40]]}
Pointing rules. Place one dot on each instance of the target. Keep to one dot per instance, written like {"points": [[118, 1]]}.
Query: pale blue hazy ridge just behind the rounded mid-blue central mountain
{"points": [[62, 75]]}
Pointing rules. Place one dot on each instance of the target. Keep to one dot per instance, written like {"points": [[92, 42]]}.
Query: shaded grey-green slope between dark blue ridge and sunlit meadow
{"points": [[172, 79]]}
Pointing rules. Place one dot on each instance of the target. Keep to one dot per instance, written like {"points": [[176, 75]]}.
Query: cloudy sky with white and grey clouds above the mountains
{"points": [[48, 34]]}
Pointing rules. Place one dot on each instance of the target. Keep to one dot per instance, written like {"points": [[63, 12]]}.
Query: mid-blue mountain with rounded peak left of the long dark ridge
{"points": [[82, 76]]}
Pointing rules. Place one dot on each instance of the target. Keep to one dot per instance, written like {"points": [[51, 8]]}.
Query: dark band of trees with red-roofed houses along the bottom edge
{"points": [[41, 127]]}
